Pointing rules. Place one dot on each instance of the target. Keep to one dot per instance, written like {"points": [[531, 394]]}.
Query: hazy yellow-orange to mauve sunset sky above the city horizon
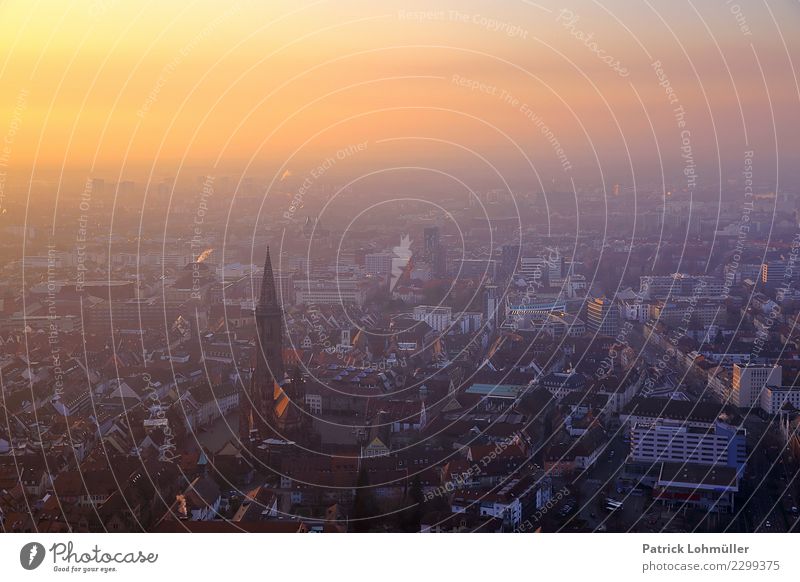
{"points": [[118, 86]]}
